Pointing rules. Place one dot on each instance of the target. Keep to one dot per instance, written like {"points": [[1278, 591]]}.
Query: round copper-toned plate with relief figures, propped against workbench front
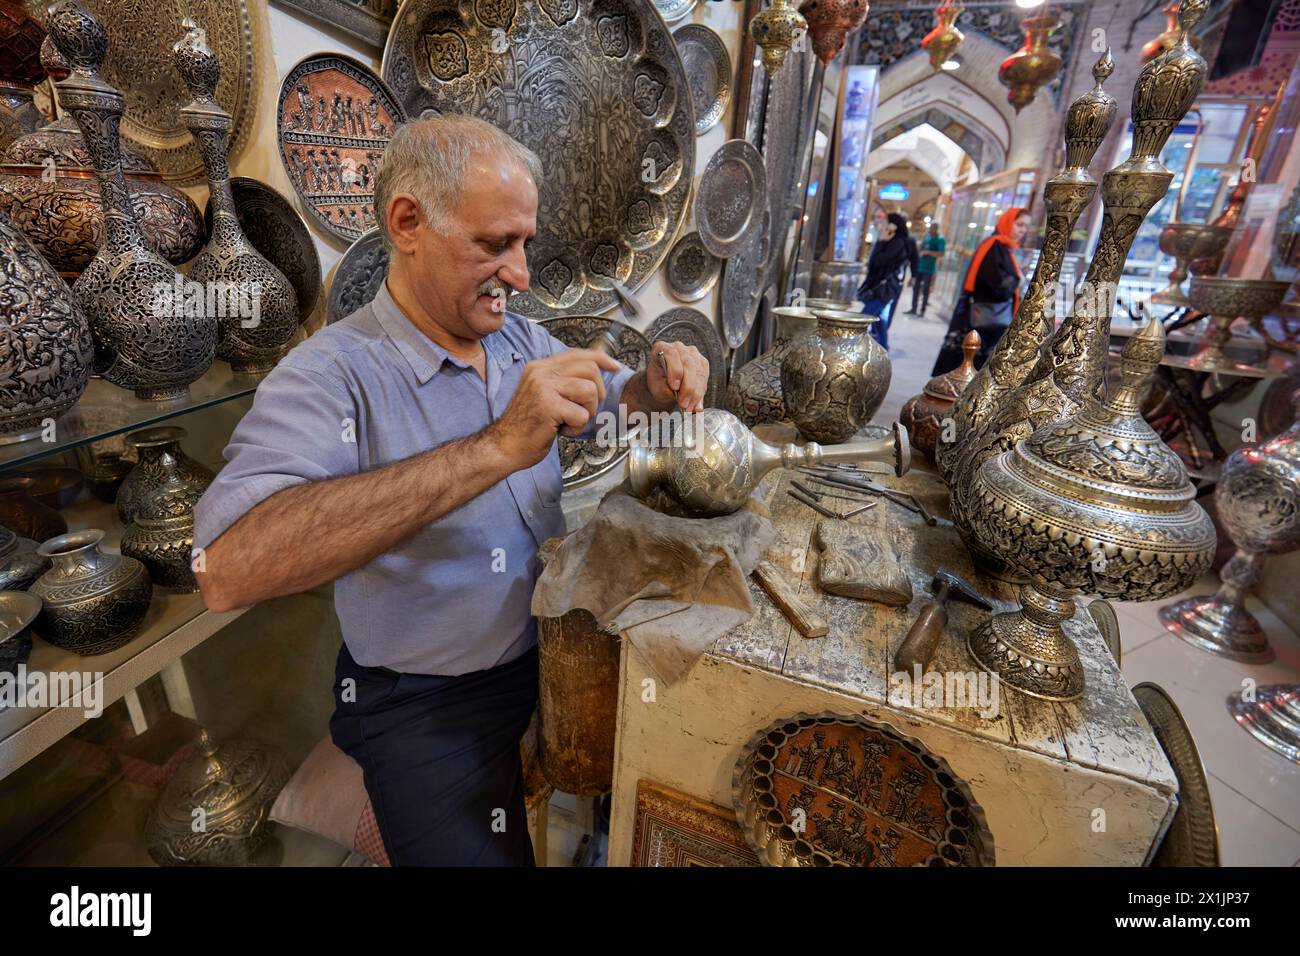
{"points": [[833, 790]]}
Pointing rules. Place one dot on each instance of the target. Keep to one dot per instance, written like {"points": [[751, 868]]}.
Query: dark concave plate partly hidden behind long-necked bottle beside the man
{"points": [[276, 231]]}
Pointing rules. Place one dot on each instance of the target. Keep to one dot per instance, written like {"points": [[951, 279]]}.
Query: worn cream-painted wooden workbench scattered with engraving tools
{"points": [[1060, 784]]}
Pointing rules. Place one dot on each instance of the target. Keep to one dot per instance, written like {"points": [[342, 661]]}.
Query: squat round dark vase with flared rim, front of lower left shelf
{"points": [[94, 603]]}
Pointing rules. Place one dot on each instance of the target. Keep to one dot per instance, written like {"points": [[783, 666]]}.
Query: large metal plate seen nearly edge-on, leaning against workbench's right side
{"points": [[1193, 837]]}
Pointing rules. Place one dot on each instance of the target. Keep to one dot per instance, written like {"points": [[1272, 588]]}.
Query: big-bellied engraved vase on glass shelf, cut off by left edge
{"points": [[46, 347]]}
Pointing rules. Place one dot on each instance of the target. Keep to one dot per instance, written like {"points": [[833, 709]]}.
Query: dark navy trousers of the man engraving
{"points": [[441, 759]]}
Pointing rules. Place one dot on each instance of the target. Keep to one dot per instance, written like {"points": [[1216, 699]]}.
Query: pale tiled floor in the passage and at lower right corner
{"points": [[1256, 794]]}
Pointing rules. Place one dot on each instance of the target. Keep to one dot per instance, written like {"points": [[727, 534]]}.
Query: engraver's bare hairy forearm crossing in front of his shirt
{"points": [[278, 550]]}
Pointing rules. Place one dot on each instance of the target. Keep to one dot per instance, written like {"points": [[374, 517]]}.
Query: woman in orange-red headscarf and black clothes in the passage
{"points": [[991, 292]]}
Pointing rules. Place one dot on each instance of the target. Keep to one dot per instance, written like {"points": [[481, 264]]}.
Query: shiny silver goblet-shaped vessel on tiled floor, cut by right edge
{"points": [[1259, 504]]}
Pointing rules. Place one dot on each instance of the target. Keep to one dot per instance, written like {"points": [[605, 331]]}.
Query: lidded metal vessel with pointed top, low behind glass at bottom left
{"points": [[232, 789]]}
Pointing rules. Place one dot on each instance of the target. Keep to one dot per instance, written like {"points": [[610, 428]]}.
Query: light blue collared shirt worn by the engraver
{"points": [[371, 391]]}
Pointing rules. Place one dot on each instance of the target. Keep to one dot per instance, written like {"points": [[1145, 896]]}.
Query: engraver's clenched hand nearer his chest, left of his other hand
{"points": [[557, 395]]}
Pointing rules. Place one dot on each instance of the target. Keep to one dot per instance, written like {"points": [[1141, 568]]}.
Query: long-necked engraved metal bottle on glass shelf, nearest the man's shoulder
{"points": [[254, 336]]}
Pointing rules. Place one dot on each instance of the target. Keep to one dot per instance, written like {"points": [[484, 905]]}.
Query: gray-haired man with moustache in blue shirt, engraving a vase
{"points": [[409, 455]]}
